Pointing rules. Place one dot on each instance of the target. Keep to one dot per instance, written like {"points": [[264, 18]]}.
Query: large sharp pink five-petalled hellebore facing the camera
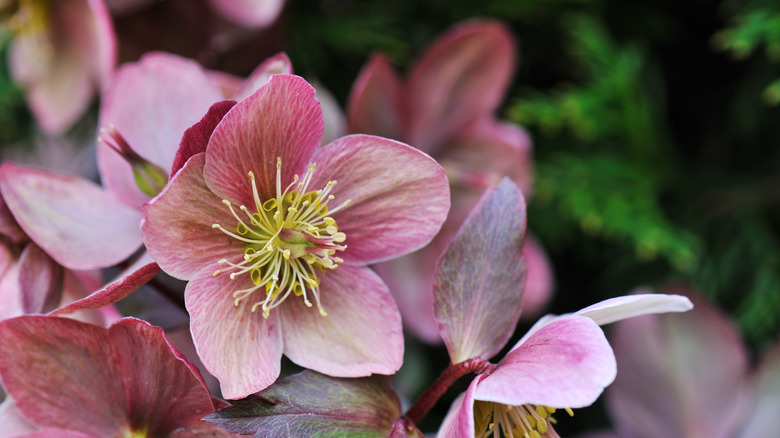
{"points": [[274, 233]]}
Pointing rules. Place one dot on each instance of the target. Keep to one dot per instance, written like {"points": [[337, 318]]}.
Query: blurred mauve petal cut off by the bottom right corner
{"points": [[763, 419]]}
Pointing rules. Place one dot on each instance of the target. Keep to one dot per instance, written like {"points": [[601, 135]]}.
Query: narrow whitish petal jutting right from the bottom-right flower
{"points": [[616, 309]]}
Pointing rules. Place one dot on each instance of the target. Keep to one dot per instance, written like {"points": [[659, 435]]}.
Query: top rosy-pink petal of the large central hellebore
{"points": [[281, 120]]}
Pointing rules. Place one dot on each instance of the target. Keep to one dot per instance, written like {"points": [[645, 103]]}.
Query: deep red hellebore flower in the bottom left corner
{"points": [[72, 379]]}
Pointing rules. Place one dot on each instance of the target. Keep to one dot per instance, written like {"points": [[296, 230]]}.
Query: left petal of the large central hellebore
{"points": [[177, 224]]}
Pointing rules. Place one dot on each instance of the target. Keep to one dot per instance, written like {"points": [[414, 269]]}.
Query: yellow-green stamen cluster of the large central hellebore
{"points": [[287, 241]]}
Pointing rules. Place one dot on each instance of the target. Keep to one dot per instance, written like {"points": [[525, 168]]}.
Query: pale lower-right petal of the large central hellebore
{"points": [[360, 335]]}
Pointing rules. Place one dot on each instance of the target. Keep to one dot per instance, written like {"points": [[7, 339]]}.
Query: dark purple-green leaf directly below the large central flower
{"points": [[310, 404]]}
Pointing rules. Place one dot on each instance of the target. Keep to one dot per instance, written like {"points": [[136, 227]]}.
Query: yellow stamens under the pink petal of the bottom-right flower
{"points": [[526, 421]]}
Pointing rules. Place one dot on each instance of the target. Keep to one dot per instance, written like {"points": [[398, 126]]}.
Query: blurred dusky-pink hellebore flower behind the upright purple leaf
{"points": [[446, 109]]}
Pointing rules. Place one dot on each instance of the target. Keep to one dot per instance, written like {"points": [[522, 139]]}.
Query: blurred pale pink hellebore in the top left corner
{"points": [[62, 52]]}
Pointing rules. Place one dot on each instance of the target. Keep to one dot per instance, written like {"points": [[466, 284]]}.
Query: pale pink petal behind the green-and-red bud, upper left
{"points": [[151, 103]]}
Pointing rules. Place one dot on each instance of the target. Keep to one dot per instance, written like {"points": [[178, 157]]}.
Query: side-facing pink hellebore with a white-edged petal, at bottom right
{"points": [[563, 362]]}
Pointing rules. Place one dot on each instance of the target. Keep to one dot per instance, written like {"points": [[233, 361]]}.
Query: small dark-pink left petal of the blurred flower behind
{"points": [[375, 99]]}
